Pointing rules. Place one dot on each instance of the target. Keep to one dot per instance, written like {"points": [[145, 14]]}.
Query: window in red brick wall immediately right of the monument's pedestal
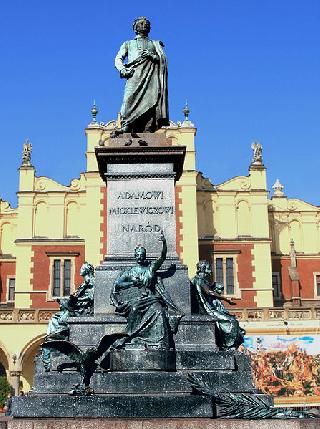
{"points": [[225, 272]]}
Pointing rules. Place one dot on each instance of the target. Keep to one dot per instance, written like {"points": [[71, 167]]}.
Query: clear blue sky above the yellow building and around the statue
{"points": [[250, 70]]}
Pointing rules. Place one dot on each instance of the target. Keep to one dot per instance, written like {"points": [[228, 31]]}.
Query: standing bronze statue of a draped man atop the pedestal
{"points": [[143, 63]]}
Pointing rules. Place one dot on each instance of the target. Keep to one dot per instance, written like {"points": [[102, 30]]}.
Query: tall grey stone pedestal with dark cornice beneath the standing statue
{"points": [[140, 174]]}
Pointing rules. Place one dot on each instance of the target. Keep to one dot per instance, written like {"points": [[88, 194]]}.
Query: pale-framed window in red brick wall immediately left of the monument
{"points": [[62, 274]]}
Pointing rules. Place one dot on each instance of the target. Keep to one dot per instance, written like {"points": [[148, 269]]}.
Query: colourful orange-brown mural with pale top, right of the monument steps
{"points": [[286, 365]]}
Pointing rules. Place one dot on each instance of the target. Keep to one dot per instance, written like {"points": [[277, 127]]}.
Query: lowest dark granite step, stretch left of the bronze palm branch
{"points": [[121, 406]]}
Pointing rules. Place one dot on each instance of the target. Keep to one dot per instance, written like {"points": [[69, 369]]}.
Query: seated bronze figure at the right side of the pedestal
{"points": [[209, 299]]}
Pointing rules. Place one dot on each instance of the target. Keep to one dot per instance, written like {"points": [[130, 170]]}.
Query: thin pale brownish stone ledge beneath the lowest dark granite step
{"points": [[179, 423]]}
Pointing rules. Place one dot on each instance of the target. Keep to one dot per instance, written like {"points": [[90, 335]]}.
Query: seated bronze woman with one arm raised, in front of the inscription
{"points": [[139, 295]]}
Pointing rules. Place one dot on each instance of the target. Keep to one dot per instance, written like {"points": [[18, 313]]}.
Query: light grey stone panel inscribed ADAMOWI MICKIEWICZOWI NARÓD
{"points": [[140, 204]]}
